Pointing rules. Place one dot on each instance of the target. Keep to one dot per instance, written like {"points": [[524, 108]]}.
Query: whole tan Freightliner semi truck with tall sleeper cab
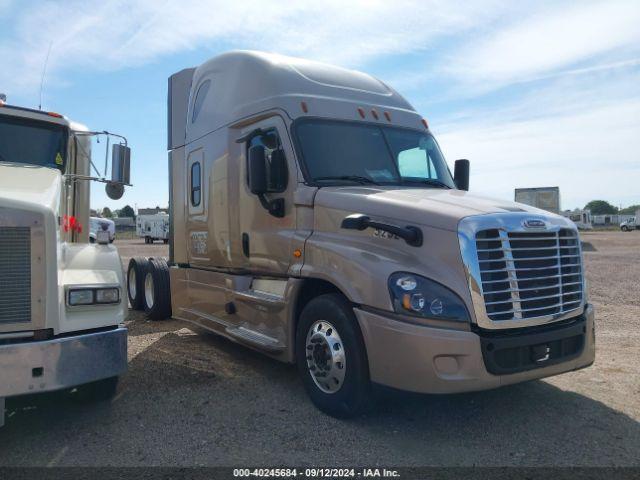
{"points": [[314, 218]]}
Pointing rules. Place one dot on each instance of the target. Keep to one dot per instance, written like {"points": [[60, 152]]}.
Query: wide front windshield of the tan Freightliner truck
{"points": [[335, 153]]}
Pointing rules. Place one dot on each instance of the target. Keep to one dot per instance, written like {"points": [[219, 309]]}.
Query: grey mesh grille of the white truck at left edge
{"points": [[15, 275]]}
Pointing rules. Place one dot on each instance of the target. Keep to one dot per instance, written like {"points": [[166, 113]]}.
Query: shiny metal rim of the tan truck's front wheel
{"points": [[326, 360]]}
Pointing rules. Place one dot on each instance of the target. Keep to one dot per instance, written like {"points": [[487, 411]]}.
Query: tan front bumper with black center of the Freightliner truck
{"points": [[434, 360]]}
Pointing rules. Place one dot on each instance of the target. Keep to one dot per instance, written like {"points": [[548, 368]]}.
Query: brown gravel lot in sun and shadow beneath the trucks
{"points": [[196, 399]]}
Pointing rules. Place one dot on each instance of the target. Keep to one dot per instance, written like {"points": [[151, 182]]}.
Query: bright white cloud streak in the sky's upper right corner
{"points": [[556, 38]]}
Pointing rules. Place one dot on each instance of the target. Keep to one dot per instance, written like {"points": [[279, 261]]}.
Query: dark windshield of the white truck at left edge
{"points": [[32, 142]]}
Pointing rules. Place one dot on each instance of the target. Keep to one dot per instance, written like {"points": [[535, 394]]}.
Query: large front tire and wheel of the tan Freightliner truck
{"points": [[327, 325]]}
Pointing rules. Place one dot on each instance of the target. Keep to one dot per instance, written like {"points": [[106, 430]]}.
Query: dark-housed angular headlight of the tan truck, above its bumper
{"points": [[415, 295]]}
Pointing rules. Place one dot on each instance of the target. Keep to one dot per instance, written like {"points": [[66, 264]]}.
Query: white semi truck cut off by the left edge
{"points": [[61, 298]]}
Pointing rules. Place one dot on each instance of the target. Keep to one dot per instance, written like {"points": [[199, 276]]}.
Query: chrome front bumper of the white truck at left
{"points": [[42, 366]]}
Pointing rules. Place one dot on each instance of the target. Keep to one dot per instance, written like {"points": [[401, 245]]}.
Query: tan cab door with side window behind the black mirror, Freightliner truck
{"points": [[266, 238]]}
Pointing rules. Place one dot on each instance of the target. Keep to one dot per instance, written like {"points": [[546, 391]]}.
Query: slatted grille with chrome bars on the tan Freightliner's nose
{"points": [[525, 275]]}
